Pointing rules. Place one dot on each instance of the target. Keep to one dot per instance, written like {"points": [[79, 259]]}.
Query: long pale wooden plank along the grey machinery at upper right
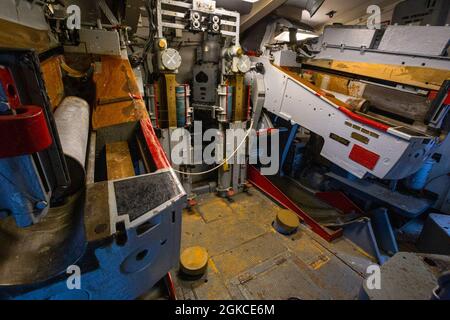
{"points": [[422, 77]]}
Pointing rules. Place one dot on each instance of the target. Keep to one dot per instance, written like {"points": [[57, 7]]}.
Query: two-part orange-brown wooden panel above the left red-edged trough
{"points": [[115, 78]]}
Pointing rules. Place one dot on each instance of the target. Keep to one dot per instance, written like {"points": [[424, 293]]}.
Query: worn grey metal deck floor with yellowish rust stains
{"points": [[250, 260]]}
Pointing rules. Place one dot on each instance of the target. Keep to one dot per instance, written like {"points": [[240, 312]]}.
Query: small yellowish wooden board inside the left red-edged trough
{"points": [[118, 161]]}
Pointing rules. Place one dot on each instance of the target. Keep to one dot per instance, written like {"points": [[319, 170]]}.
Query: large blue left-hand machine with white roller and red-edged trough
{"points": [[66, 231]]}
